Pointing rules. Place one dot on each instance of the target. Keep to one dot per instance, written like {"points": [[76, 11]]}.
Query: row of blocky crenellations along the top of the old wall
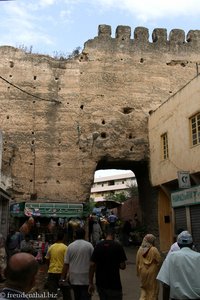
{"points": [[177, 40]]}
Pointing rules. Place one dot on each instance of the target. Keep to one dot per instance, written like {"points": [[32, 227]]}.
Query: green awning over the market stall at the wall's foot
{"points": [[62, 210]]}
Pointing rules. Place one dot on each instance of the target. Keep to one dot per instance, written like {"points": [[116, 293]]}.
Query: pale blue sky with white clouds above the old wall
{"points": [[60, 26]]}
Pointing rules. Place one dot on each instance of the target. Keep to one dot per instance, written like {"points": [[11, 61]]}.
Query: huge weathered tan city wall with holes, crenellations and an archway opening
{"points": [[63, 119]]}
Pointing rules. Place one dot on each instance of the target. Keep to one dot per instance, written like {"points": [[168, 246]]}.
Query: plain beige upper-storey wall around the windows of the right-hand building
{"points": [[173, 117]]}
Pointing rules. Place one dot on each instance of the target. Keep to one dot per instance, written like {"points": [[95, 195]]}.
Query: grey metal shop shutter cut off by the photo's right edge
{"points": [[195, 224]]}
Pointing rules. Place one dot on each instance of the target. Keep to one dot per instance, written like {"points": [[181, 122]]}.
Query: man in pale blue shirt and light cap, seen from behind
{"points": [[180, 272]]}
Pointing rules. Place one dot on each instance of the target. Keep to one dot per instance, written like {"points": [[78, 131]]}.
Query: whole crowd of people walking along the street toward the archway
{"points": [[81, 266]]}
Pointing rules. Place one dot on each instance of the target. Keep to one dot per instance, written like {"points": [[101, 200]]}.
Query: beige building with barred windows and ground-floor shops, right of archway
{"points": [[174, 136]]}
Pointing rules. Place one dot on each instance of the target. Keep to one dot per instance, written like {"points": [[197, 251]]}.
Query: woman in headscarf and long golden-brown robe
{"points": [[148, 261]]}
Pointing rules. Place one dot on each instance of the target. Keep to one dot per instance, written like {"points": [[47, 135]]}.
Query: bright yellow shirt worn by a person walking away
{"points": [[55, 255]]}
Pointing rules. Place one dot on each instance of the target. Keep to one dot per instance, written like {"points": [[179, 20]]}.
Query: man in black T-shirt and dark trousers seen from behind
{"points": [[107, 260]]}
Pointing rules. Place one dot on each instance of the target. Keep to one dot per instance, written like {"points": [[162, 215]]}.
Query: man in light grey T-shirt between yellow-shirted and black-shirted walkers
{"points": [[77, 263]]}
